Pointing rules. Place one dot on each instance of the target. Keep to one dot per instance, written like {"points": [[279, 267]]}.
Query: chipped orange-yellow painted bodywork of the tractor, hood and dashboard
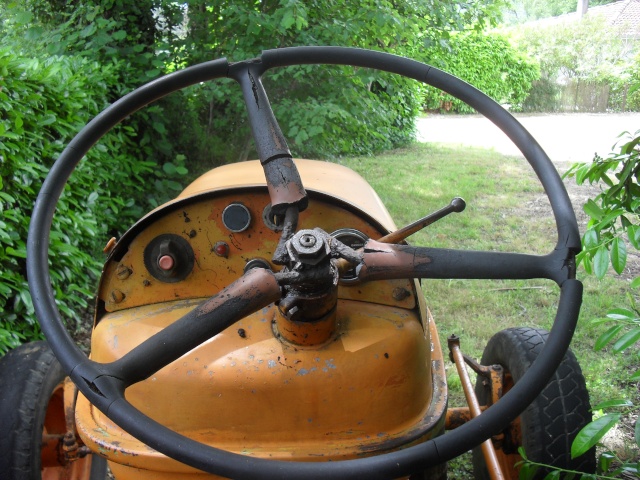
{"points": [[376, 385]]}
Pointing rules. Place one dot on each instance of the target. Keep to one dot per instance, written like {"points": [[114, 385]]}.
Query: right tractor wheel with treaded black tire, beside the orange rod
{"points": [[548, 426]]}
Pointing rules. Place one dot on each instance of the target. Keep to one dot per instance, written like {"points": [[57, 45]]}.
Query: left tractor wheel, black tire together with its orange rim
{"points": [[31, 405]]}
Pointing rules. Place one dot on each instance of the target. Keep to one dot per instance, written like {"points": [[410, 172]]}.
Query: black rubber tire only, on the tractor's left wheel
{"points": [[28, 376]]}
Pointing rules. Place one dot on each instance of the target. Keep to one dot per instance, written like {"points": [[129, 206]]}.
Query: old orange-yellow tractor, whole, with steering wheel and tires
{"points": [[268, 323]]}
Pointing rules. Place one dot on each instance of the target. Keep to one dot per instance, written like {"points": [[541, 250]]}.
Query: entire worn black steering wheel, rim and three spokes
{"points": [[104, 384]]}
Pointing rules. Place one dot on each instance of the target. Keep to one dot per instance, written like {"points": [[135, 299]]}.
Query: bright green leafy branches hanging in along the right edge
{"points": [[613, 227]]}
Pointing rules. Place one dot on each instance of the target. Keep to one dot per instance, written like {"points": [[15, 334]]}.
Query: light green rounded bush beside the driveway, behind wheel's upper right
{"points": [[488, 63]]}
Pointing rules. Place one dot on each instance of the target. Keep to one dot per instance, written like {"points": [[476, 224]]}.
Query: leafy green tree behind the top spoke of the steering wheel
{"points": [[325, 112]]}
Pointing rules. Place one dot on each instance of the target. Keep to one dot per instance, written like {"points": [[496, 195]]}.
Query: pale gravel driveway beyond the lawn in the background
{"points": [[567, 138]]}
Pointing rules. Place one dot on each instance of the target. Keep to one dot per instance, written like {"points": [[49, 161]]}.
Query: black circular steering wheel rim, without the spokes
{"points": [[389, 465]]}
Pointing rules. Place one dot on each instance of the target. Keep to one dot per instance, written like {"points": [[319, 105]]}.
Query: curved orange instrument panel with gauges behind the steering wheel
{"points": [[195, 247]]}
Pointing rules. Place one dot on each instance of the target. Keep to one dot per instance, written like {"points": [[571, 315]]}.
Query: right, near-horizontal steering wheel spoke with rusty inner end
{"points": [[390, 261]]}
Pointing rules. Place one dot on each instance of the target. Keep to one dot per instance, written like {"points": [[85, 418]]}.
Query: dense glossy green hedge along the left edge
{"points": [[44, 103]]}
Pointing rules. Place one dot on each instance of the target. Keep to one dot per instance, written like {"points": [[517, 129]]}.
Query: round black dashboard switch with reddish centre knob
{"points": [[169, 258]]}
